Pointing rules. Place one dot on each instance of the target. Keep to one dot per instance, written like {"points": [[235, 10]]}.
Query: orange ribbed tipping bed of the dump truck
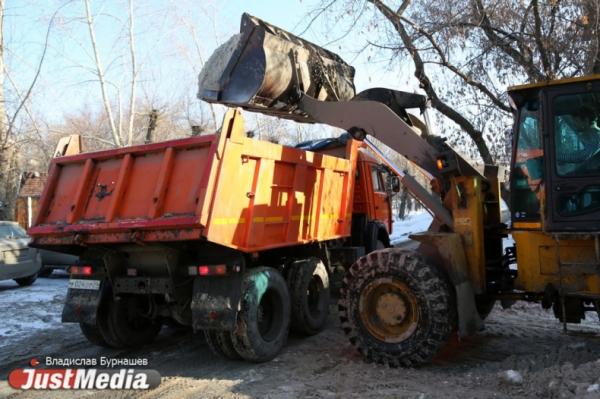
{"points": [[228, 189]]}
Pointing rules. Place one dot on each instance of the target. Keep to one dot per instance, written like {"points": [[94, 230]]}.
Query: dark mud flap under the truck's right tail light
{"points": [[216, 302]]}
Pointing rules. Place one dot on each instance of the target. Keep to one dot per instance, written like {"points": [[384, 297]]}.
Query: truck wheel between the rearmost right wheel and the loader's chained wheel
{"points": [[309, 289]]}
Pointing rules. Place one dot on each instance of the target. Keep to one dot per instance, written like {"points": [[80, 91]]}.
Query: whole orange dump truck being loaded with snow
{"points": [[230, 235]]}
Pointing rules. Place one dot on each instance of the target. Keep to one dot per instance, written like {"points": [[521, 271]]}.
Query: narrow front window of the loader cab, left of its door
{"points": [[527, 172]]}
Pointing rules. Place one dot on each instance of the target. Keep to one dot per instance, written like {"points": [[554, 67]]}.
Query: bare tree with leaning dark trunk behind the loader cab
{"points": [[465, 53]]}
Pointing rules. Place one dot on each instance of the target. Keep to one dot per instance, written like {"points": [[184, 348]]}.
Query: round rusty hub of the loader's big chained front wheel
{"points": [[389, 310]]}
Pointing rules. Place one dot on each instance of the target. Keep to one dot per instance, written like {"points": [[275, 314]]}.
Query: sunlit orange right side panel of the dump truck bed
{"points": [[268, 195]]}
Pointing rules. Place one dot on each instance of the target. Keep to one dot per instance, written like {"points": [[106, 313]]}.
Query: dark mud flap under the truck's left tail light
{"points": [[81, 305]]}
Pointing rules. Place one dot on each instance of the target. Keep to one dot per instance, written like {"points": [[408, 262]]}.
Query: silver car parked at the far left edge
{"points": [[17, 260]]}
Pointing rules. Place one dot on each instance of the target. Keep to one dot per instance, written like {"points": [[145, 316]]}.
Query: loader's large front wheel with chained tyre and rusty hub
{"points": [[396, 309]]}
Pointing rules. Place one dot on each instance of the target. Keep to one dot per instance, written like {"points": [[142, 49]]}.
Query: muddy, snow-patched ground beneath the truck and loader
{"points": [[525, 339]]}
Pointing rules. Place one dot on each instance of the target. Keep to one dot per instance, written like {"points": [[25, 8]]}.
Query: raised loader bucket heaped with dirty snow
{"points": [[264, 69]]}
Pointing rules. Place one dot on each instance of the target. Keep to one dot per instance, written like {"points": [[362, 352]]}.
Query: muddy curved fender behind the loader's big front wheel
{"points": [[447, 251]]}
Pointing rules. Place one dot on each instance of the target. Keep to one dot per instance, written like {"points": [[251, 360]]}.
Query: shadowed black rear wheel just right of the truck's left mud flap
{"points": [[128, 323]]}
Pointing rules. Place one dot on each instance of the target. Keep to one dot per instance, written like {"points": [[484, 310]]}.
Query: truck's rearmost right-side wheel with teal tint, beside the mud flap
{"points": [[264, 319]]}
